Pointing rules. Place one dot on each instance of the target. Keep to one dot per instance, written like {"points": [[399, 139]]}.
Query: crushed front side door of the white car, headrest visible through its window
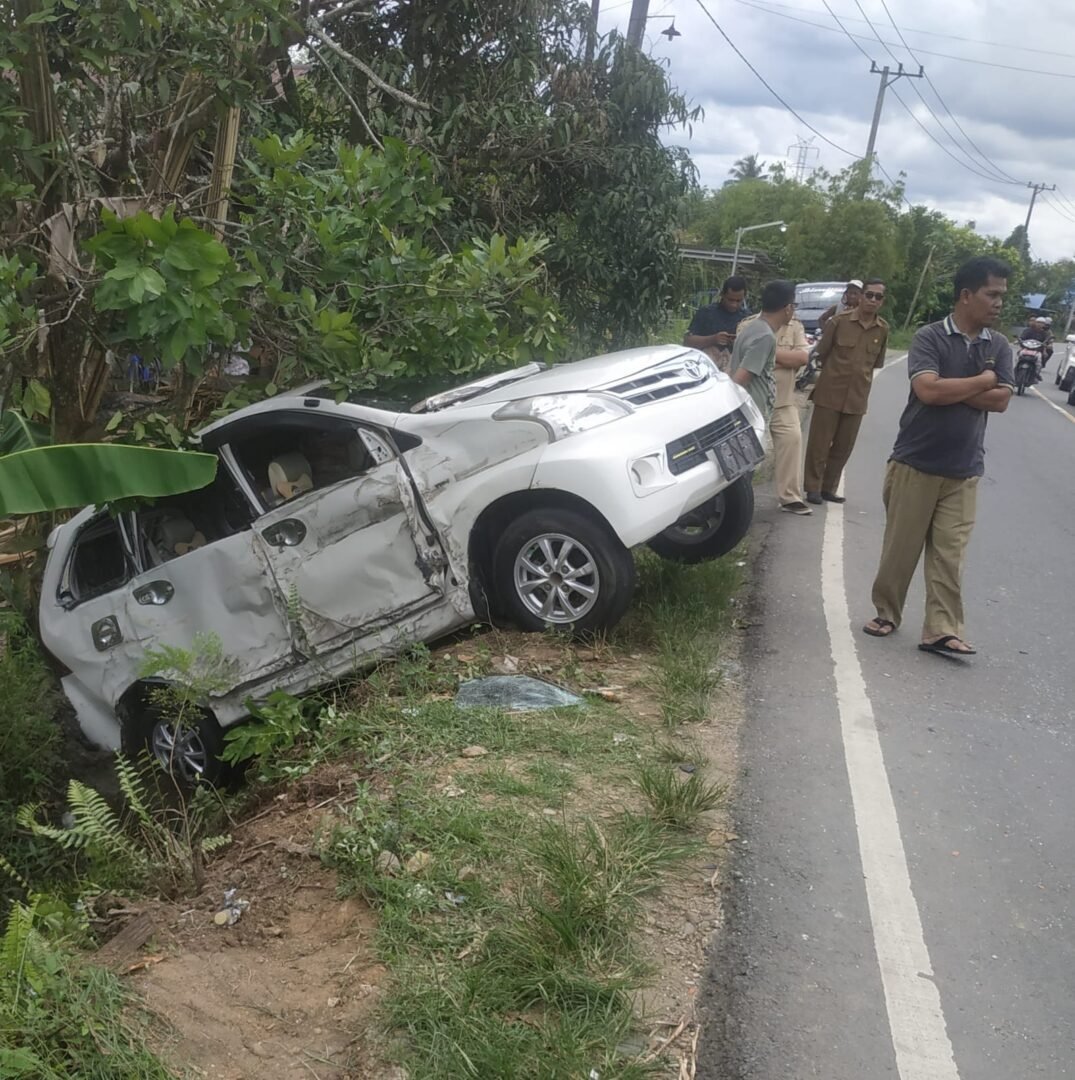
{"points": [[343, 536]]}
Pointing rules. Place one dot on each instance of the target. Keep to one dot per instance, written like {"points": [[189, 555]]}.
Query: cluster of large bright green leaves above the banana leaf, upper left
{"points": [[173, 288]]}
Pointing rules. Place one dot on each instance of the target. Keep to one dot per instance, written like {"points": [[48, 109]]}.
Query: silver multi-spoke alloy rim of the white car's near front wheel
{"points": [[557, 578]]}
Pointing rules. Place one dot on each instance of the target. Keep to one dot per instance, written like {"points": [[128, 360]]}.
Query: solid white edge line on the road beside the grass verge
{"points": [[916, 1018]]}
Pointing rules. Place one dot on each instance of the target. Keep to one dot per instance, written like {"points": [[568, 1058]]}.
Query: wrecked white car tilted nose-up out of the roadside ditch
{"points": [[335, 534]]}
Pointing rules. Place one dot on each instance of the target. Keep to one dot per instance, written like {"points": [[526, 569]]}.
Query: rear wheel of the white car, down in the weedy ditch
{"points": [[195, 758]]}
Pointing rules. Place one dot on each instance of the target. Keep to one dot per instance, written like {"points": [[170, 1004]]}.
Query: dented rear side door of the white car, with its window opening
{"points": [[205, 573]]}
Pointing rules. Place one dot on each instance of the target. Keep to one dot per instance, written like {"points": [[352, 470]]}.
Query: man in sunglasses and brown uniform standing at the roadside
{"points": [[852, 349]]}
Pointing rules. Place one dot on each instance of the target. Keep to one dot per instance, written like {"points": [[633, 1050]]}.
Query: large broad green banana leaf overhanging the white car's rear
{"points": [[83, 475]]}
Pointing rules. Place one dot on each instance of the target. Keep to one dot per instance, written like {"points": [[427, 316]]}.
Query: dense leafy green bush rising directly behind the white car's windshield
{"points": [[357, 285]]}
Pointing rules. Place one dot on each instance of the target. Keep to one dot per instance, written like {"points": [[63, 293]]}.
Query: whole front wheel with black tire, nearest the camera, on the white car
{"points": [[529, 577]]}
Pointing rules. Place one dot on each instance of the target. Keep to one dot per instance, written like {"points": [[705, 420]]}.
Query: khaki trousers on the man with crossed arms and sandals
{"points": [[932, 512]]}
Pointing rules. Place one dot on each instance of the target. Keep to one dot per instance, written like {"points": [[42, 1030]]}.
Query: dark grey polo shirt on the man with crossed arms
{"points": [[949, 440]]}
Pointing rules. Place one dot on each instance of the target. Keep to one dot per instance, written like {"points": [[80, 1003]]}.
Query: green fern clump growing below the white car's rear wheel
{"points": [[153, 847]]}
